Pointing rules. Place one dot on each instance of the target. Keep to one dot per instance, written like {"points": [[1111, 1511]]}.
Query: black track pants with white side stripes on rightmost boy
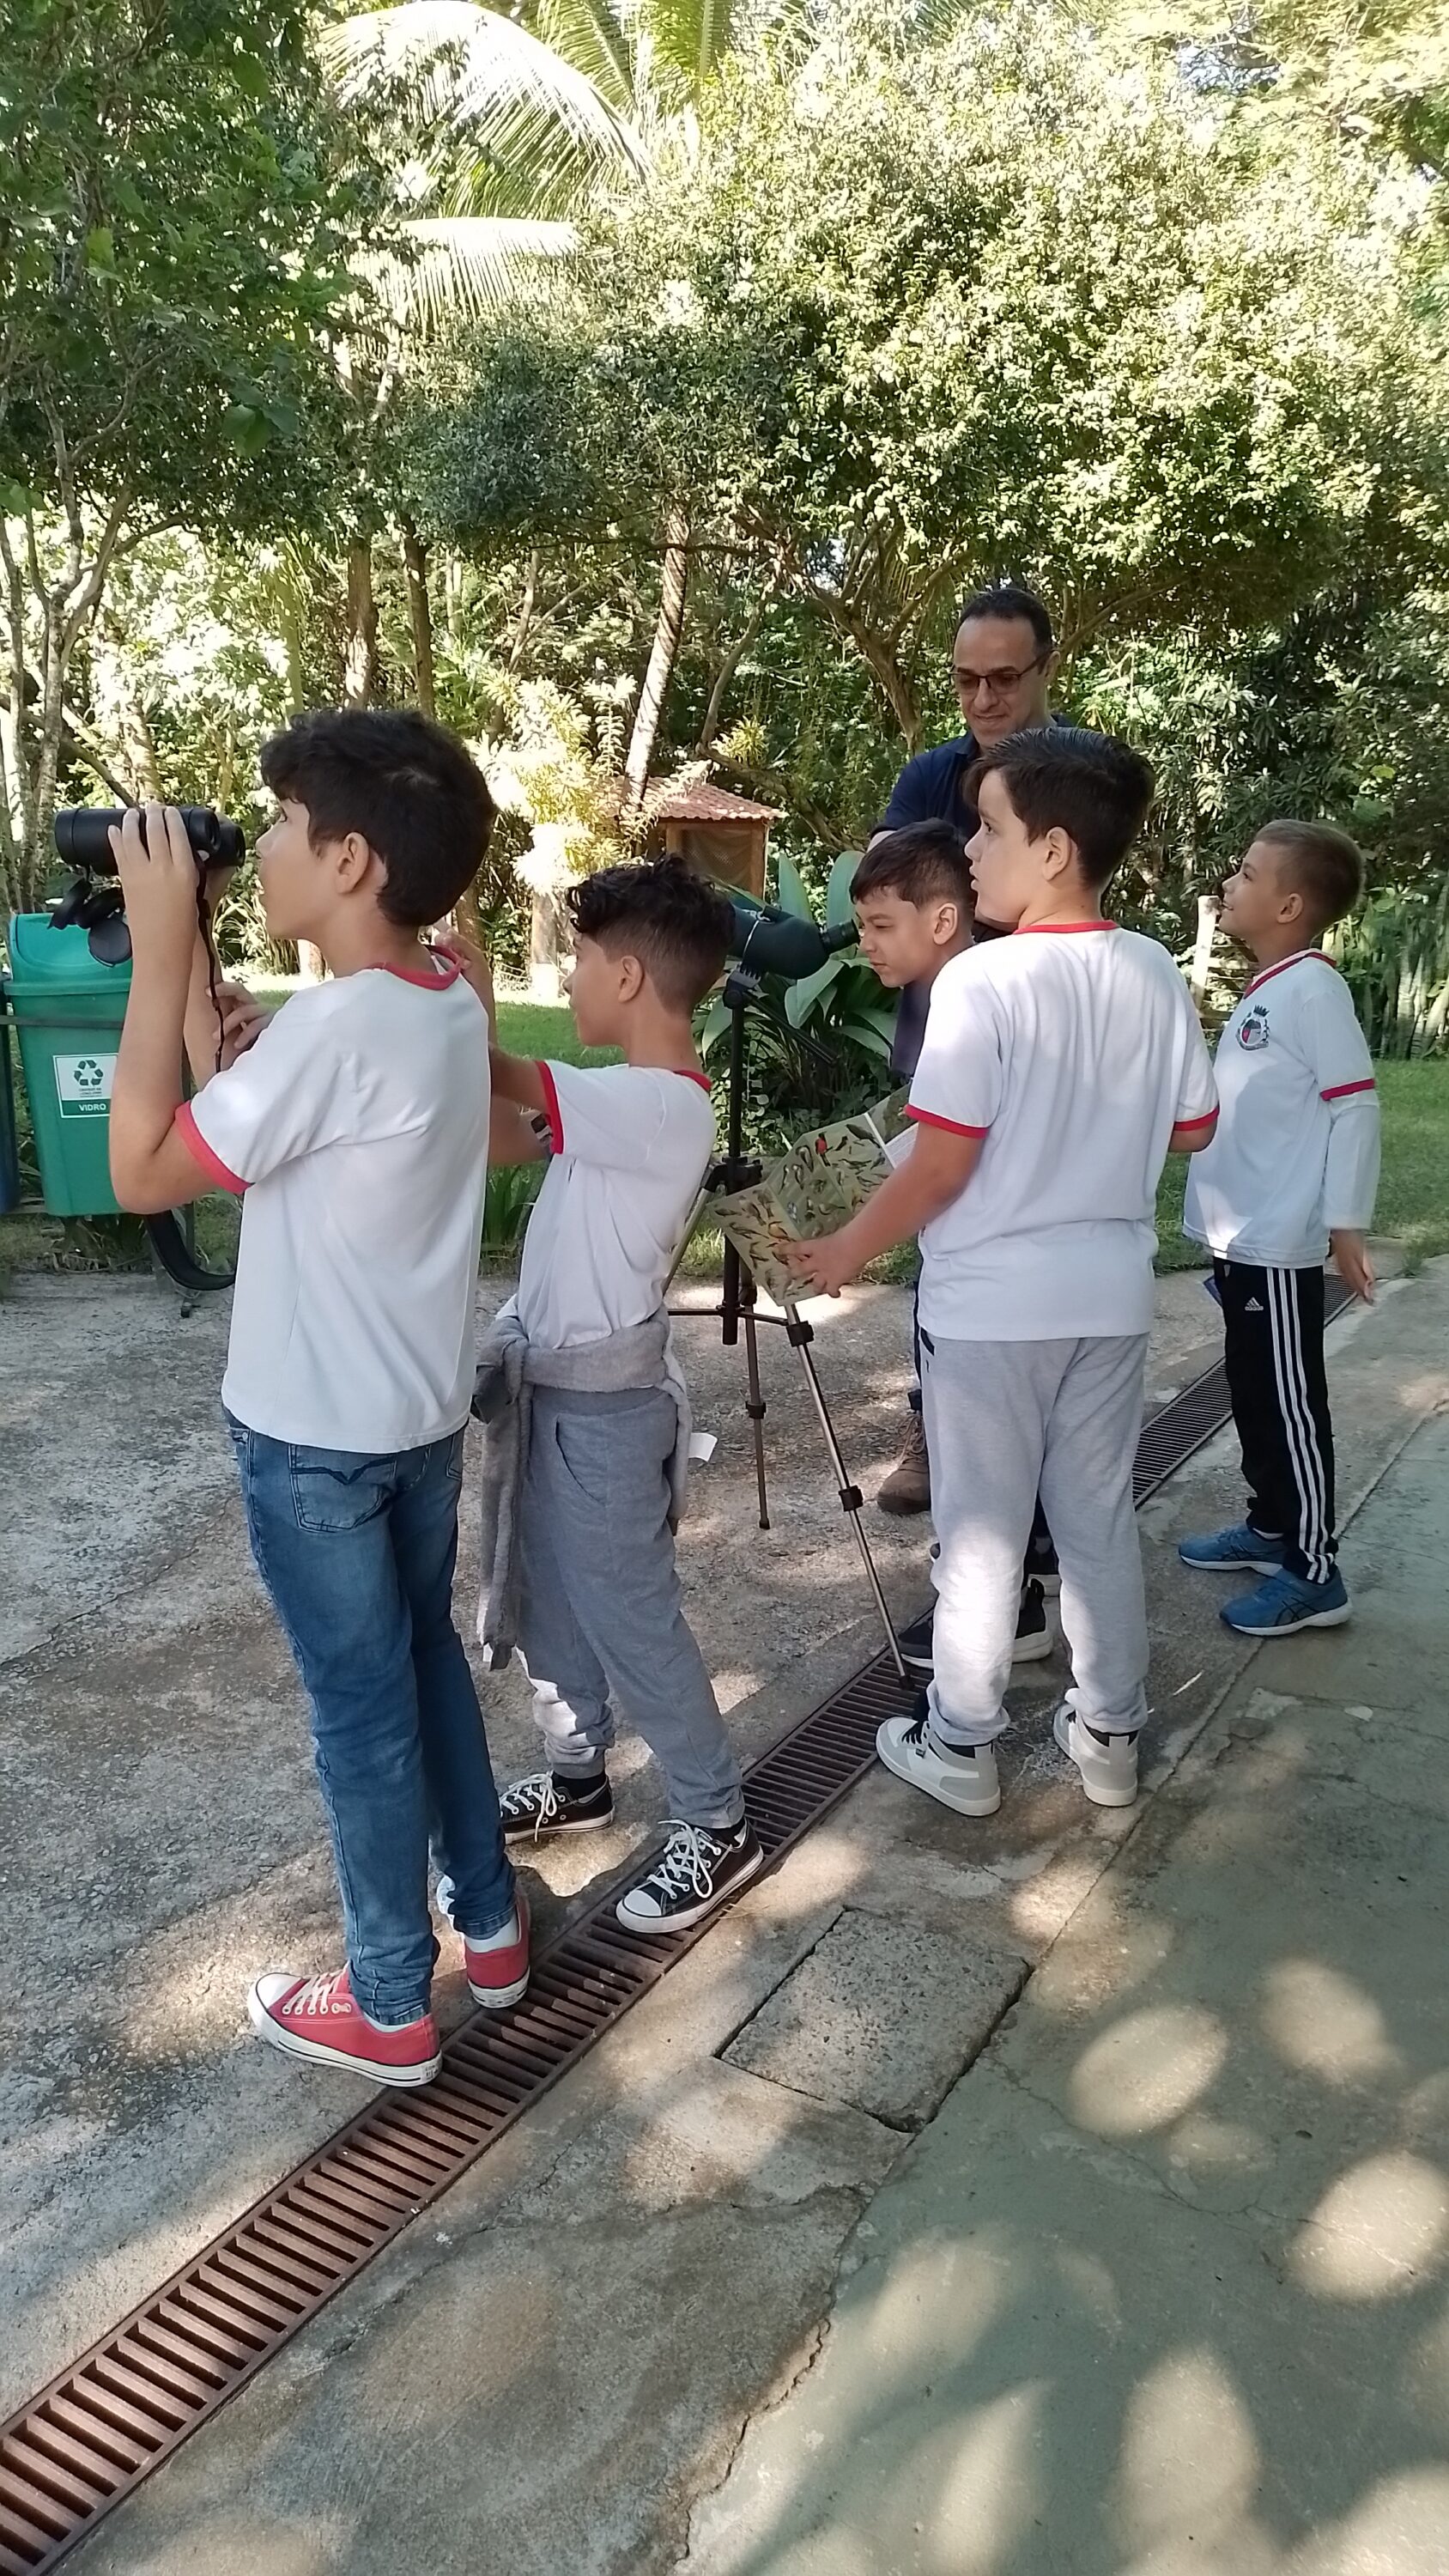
{"points": [[1280, 1405]]}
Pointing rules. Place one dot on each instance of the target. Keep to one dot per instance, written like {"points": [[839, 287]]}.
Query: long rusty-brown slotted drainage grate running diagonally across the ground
{"points": [[143, 2389]]}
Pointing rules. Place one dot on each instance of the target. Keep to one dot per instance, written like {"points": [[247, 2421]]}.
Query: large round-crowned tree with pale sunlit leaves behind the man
{"points": [[905, 321]]}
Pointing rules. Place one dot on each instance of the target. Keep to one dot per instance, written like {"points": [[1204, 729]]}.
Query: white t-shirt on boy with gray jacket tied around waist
{"points": [[632, 1148]]}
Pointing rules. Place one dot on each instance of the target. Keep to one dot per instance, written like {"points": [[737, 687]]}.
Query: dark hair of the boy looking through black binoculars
{"points": [[405, 784]]}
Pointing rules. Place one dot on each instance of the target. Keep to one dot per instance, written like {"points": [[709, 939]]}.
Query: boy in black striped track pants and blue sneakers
{"points": [[1291, 1173]]}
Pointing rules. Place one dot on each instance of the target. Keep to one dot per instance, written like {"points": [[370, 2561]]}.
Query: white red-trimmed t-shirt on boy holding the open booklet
{"points": [[1072, 1052]]}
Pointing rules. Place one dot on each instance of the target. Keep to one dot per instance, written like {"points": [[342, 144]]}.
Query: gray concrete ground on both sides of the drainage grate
{"points": [[982, 2139]]}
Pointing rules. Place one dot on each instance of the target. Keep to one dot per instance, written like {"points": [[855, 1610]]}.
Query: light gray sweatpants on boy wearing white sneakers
{"points": [[1002, 1421]]}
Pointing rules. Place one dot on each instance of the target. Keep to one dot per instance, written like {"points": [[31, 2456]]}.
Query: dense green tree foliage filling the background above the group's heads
{"points": [[809, 318]]}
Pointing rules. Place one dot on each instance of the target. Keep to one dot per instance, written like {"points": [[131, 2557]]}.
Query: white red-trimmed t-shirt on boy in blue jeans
{"points": [[359, 1130]]}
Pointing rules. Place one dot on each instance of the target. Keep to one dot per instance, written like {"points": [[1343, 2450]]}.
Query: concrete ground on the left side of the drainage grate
{"points": [[161, 1835]]}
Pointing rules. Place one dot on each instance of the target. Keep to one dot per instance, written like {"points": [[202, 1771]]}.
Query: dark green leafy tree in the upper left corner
{"points": [[174, 264]]}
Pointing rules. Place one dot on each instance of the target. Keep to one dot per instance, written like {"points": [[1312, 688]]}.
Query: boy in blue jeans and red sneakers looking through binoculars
{"points": [[359, 1130]]}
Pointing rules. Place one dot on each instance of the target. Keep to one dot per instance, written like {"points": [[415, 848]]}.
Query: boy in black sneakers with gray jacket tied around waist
{"points": [[598, 1593]]}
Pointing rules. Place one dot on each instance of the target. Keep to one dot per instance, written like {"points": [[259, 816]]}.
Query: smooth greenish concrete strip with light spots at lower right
{"points": [[1165, 2286]]}
